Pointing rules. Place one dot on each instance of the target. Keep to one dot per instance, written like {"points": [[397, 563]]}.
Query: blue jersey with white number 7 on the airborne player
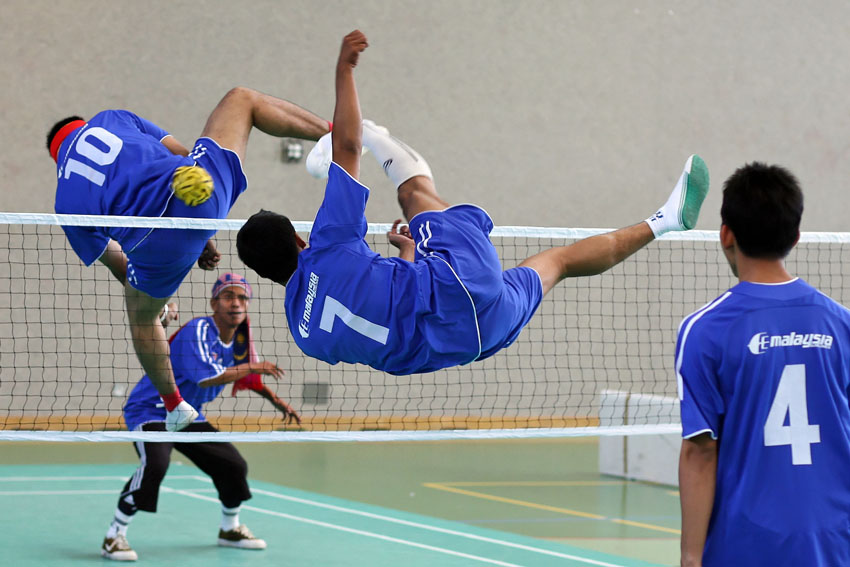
{"points": [[347, 303]]}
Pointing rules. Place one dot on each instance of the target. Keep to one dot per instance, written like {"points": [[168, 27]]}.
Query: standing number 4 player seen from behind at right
{"points": [[764, 375]]}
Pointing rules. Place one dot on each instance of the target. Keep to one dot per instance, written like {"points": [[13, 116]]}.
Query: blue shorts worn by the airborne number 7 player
{"points": [[504, 300]]}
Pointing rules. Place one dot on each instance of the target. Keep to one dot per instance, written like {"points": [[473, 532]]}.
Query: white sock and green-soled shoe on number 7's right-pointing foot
{"points": [[681, 210]]}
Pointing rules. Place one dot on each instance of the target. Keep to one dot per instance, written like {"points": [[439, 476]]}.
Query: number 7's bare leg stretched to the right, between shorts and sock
{"points": [[590, 256]]}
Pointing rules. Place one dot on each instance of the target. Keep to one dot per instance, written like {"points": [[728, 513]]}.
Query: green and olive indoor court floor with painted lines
{"points": [[379, 504]]}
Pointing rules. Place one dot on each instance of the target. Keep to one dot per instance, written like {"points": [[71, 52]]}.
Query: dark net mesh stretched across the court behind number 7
{"points": [[67, 363]]}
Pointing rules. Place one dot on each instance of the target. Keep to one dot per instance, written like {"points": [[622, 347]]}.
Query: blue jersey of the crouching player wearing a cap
{"points": [[197, 354]]}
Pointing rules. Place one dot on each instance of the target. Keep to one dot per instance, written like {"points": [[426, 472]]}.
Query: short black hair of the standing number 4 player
{"points": [[763, 205]]}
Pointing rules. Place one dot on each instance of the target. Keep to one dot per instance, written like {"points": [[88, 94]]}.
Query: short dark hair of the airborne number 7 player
{"points": [[267, 245]]}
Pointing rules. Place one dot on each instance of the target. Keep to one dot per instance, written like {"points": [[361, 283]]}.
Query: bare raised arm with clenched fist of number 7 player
{"points": [[347, 120]]}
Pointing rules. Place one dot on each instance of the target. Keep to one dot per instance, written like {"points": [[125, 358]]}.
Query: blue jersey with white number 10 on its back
{"points": [[113, 165]]}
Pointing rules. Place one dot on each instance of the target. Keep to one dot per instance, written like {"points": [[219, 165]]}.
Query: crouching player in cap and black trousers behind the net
{"points": [[207, 353]]}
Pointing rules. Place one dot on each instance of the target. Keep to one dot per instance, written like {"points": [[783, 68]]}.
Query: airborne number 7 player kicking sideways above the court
{"points": [[446, 301]]}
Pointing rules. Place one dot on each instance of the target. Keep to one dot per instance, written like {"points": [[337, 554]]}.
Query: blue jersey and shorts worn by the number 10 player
{"points": [[115, 164]]}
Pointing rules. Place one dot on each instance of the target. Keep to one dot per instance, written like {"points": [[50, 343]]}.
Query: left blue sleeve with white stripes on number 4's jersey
{"points": [[702, 405]]}
